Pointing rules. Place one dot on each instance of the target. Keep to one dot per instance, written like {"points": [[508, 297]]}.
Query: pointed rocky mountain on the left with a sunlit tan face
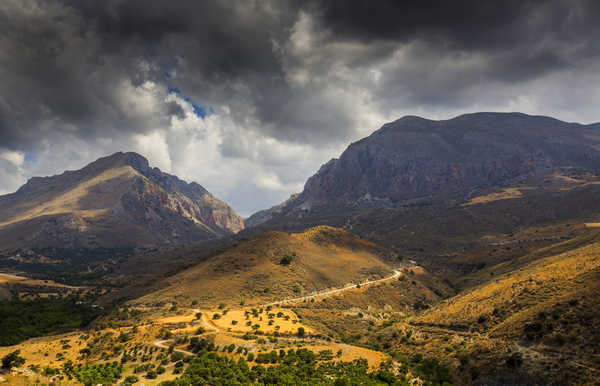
{"points": [[117, 201]]}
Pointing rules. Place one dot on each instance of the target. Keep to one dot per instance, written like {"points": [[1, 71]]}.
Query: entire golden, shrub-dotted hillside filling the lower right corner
{"points": [[541, 308]]}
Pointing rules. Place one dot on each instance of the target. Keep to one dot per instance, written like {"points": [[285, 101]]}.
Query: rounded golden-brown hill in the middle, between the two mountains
{"points": [[275, 265]]}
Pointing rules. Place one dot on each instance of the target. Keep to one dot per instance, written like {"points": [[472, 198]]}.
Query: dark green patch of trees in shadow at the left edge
{"points": [[20, 320]]}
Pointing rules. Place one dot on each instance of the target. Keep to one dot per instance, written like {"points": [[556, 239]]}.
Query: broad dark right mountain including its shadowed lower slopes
{"points": [[445, 193]]}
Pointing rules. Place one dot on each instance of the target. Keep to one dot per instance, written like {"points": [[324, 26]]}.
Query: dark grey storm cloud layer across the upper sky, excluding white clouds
{"points": [[63, 62]]}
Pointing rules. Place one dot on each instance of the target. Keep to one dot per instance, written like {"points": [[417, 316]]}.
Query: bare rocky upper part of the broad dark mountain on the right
{"points": [[415, 161]]}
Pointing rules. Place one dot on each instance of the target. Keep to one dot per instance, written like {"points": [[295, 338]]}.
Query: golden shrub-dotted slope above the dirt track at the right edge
{"points": [[548, 296]]}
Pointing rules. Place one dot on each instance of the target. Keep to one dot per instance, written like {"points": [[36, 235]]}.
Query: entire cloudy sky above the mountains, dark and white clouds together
{"points": [[248, 98]]}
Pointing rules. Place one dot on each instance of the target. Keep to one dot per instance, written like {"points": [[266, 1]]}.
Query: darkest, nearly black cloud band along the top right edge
{"points": [[463, 25]]}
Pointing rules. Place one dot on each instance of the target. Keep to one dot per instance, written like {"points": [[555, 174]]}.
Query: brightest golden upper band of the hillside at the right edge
{"points": [[526, 288]]}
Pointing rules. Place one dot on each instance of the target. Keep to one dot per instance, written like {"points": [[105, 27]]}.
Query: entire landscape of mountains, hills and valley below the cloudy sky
{"points": [[437, 270]]}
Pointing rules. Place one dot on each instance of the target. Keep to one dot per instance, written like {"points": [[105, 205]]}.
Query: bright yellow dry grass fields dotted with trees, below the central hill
{"points": [[43, 351]]}
